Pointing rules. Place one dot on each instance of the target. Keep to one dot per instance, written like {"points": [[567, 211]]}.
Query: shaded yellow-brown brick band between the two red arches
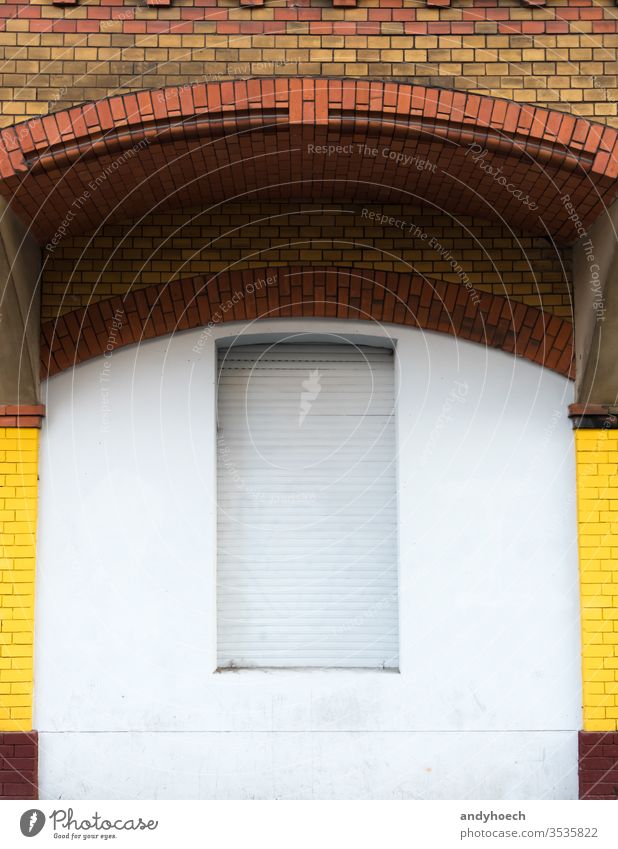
{"points": [[167, 247]]}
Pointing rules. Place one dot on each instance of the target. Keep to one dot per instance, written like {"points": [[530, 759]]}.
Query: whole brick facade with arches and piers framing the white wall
{"points": [[447, 167]]}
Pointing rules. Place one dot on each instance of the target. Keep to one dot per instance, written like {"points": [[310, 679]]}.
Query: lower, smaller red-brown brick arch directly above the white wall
{"points": [[250, 294]]}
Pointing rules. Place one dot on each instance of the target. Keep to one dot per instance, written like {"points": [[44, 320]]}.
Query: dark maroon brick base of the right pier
{"points": [[598, 765]]}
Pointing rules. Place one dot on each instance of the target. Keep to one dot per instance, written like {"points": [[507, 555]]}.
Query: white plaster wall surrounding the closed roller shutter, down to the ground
{"points": [[487, 701]]}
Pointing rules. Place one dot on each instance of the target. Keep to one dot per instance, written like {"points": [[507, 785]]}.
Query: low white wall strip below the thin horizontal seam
{"points": [[349, 765]]}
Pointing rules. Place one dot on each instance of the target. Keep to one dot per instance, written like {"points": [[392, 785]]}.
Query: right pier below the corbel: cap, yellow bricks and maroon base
{"points": [[596, 444]]}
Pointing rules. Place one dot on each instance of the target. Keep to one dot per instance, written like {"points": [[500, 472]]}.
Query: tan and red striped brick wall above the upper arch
{"points": [[561, 54]]}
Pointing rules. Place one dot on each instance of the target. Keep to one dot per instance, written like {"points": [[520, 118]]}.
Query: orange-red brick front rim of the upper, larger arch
{"points": [[130, 117]]}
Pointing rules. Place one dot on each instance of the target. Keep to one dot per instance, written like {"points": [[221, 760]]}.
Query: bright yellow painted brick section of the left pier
{"points": [[18, 513]]}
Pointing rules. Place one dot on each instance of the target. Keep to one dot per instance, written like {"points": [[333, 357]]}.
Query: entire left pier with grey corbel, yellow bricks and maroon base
{"points": [[20, 420]]}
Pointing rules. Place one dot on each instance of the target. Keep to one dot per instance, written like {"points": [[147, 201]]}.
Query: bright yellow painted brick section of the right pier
{"points": [[597, 492]]}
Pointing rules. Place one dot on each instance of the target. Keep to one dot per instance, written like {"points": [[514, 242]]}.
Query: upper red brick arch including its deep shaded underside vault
{"points": [[270, 138]]}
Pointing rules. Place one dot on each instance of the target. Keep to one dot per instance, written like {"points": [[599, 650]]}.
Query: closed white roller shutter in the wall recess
{"points": [[306, 571]]}
